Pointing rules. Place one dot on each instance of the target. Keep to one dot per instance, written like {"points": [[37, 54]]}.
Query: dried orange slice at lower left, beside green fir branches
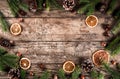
{"points": [[25, 63]]}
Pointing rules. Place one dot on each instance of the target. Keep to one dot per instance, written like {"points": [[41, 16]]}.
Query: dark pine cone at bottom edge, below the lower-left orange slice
{"points": [[14, 73]]}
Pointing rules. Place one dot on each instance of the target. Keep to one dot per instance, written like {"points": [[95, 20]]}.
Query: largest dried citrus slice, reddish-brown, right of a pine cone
{"points": [[100, 56]]}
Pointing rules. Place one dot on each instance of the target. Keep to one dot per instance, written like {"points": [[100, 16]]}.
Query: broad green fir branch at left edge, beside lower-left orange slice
{"points": [[7, 60]]}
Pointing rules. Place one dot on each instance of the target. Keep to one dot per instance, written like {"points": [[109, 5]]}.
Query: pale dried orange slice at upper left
{"points": [[15, 29]]}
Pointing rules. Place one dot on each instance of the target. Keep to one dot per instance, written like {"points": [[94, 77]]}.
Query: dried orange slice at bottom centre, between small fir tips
{"points": [[68, 66]]}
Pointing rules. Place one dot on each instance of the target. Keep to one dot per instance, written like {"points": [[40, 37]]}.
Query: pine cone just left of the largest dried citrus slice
{"points": [[87, 65]]}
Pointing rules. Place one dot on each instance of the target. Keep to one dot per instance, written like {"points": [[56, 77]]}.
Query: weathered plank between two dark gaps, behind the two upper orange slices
{"points": [[57, 29]]}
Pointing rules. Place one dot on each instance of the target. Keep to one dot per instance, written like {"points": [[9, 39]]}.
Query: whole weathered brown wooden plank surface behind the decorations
{"points": [[54, 37]]}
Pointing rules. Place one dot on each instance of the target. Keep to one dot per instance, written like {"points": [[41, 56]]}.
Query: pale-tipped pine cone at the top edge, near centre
{"points": [[68, 4]]}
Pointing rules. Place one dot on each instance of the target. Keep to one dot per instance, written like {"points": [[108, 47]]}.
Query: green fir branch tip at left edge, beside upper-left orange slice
{"points": [[4, 23]]}
